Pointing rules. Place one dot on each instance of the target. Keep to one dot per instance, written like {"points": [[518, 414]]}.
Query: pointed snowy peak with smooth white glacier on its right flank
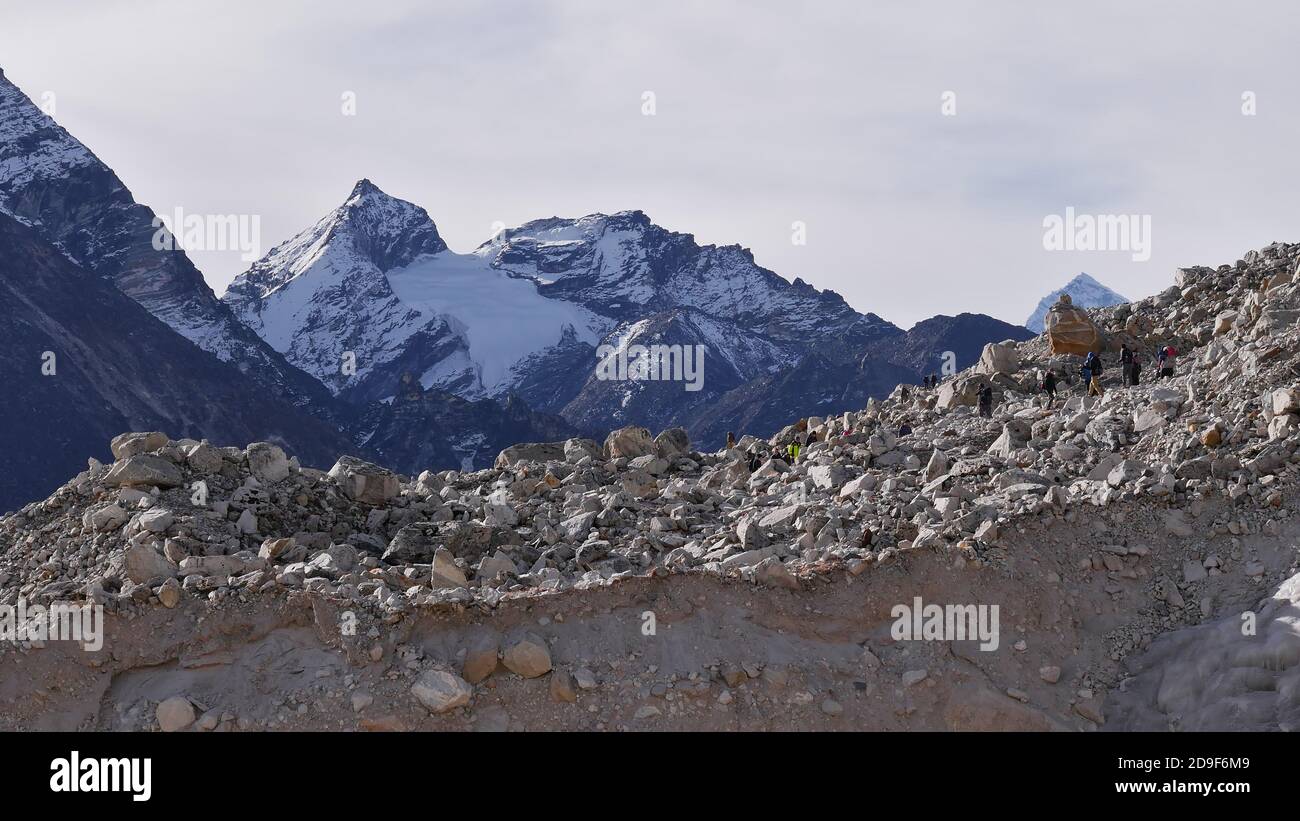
{"points": [[374, 286]]}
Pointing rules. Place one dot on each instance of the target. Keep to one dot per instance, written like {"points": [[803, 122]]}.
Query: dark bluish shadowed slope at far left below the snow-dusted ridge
{"points": [[115, 368]]}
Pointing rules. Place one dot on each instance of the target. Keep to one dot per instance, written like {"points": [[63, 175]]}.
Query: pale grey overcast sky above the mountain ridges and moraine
{"points": [[766, 114]]}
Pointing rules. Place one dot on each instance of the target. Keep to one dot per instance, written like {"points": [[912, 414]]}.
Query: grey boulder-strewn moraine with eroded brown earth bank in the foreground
{"points": [[365, 598]]}
